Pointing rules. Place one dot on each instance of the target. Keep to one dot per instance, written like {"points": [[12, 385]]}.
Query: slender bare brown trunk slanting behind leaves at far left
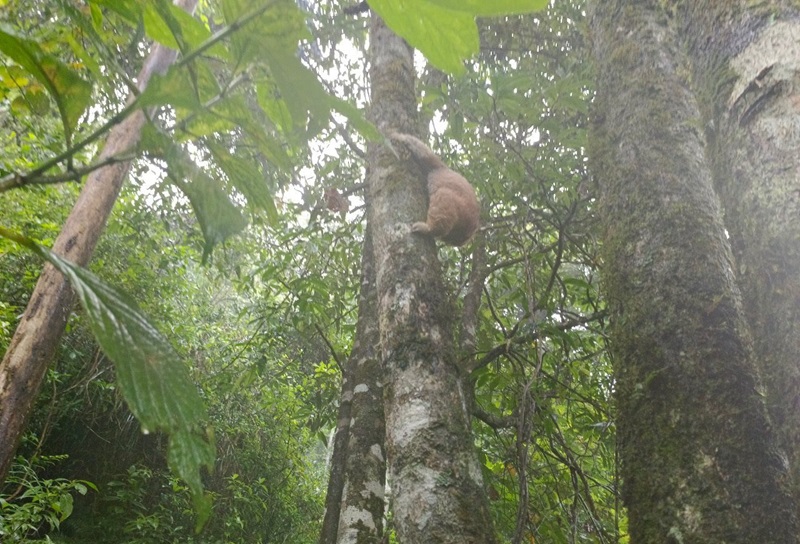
{"points": [[34, 342]]}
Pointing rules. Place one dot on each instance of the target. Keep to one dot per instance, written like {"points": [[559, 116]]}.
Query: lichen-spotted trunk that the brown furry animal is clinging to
{"points": [[434, 474]]}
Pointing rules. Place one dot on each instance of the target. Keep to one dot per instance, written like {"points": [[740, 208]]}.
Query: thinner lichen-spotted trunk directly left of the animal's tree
{"points": [[355, 505]]}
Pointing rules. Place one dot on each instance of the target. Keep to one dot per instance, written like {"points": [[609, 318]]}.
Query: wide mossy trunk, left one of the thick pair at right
{"points": [[699, 461]]}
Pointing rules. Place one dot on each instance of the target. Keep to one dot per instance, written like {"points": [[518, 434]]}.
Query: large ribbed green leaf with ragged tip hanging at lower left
{"points": [[150, 373]]}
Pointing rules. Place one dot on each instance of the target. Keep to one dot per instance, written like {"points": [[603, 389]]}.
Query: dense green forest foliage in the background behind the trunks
{"points": [[264, 322]]}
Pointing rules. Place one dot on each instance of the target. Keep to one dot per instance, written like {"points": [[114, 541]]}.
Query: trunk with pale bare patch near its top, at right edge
{"points": [[749, 76]]}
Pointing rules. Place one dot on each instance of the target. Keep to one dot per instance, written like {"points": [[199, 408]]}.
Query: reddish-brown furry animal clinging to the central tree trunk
{"points": [[453, 211]]}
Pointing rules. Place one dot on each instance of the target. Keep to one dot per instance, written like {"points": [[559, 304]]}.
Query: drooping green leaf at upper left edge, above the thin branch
{"points": [[72, 93]]}
